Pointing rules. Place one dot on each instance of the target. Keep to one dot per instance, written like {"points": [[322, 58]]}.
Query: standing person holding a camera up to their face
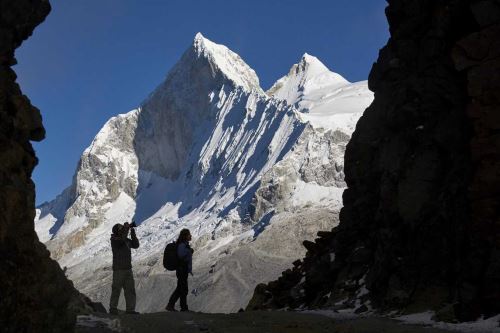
{"points": [[122, 267]]}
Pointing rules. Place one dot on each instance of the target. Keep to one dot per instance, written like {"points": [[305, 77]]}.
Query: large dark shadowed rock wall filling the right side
{"points": [[421, 222]]}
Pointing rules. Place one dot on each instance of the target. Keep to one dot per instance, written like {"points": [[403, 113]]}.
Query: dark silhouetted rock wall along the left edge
{"points": [[35, 296]]}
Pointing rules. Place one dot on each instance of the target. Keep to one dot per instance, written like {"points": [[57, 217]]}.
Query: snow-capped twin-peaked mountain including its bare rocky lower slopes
{"points": [[251, 174]]}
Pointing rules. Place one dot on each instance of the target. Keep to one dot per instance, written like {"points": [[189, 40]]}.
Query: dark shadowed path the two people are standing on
{"points": [[246, 322]]}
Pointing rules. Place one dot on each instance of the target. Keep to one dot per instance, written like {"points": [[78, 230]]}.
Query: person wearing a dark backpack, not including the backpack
{"points": [[185, 256]]}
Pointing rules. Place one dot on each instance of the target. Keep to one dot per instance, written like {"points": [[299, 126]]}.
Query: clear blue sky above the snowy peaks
{"points": [[91, 60]]}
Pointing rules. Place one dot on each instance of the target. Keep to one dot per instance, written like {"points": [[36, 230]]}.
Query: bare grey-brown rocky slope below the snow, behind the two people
{"points": [[222, 282]]}
